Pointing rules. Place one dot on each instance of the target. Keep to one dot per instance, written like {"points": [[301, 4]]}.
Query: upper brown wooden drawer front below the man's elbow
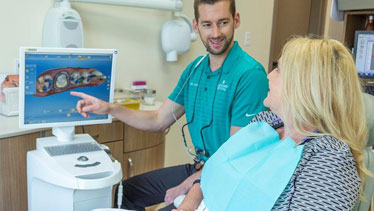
{"points": [[137, 139]]}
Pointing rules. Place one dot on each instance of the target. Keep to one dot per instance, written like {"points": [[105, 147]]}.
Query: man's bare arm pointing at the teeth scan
{"points": [[153, 121]]}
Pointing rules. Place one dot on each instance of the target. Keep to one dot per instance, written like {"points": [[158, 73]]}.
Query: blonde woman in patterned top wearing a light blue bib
{"points": [[304, 154]]}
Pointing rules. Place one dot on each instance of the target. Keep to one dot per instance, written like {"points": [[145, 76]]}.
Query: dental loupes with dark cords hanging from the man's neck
{"points": [[204, 151]]}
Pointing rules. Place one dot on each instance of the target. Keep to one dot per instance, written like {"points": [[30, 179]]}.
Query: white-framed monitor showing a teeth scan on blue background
{"points": [[47, 75]]}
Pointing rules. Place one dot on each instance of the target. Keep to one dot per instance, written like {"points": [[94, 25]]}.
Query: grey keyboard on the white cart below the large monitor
{"points": [[68, 149]]}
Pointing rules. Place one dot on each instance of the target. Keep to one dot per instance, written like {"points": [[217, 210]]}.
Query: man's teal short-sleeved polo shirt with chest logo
{"points": [[229, 96]]}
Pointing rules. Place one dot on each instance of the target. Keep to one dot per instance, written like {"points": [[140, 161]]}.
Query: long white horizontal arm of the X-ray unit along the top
{"points": [[171, 5]]}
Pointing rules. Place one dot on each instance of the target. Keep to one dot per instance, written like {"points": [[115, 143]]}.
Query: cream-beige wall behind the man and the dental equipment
{"points": [[135, 33]]}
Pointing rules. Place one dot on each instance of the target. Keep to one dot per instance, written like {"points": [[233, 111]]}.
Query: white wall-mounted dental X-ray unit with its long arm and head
{"points": [[63, 25]]}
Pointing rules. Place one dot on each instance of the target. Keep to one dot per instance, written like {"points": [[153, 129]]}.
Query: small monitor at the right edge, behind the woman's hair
{"points": [[364, 53]]}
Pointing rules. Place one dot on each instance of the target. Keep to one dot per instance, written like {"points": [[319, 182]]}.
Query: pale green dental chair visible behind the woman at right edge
{"points": [[369, 155]]}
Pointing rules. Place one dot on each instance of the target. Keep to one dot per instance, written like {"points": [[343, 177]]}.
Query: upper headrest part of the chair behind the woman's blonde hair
{"points": [[369, 110]]}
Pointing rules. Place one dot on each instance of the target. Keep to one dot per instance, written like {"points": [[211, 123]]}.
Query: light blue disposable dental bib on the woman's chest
{"points": [[249, 171]]}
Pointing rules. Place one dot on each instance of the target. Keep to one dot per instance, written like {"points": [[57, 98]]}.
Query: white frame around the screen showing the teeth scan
{"points": [[43, 50]]}
